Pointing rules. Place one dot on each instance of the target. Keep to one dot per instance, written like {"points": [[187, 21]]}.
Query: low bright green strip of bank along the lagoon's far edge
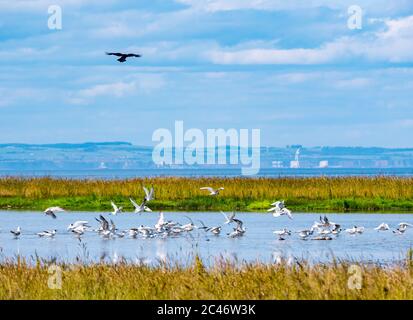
{"points": [[93, 204]]}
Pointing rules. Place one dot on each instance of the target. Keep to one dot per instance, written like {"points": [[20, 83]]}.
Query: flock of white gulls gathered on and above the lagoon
{"points": [[323, 229]]}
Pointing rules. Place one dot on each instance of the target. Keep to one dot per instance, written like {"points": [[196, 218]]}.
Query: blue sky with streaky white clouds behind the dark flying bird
{"points": [[293, 69]]}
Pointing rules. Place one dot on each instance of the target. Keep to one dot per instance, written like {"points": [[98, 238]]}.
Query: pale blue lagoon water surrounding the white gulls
{"points": [[258, 243]]}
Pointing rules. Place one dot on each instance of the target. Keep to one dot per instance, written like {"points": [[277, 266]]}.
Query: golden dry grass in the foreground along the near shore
{"points": [[252, 281]]}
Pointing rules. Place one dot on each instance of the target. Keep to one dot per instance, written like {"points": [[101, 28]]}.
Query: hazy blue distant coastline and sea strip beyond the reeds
{"points": [[23, 159]]}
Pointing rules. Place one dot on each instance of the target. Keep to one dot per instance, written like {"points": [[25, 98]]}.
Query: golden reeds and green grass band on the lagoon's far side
{"points": [[247, 194]]}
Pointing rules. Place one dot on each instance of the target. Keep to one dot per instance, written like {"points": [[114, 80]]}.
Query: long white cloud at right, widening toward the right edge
{"points": [[395, 44]]}
